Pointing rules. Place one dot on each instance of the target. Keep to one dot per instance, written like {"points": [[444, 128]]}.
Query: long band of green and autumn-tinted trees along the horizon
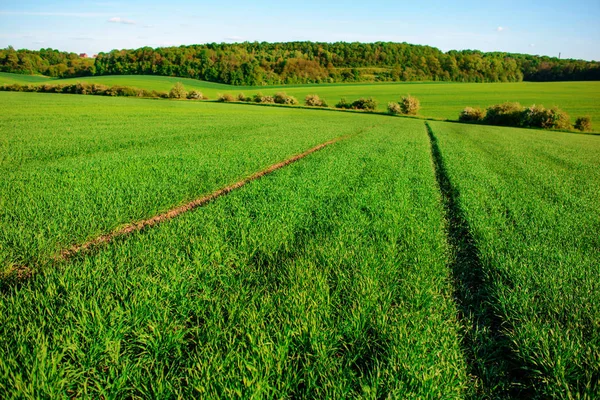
{"points": [[254, 63]]}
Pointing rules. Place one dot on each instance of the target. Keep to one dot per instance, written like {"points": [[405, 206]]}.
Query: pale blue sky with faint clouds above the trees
{"points": [[535, 27]]}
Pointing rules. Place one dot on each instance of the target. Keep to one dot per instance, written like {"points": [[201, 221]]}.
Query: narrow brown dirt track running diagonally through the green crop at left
{"points": [[137, 226]]}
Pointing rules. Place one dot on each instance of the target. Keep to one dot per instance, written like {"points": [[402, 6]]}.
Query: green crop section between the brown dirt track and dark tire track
{"points": [[327, 279]]}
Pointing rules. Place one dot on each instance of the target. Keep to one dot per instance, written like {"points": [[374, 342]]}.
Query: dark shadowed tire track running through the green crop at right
{"points": [[492, 364]]}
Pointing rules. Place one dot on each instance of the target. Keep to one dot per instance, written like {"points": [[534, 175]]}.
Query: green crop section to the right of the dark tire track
{"points": [[531, 200]]}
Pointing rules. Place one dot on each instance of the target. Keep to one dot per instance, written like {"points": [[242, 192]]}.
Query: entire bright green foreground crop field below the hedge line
{"points": [[455, 261]]}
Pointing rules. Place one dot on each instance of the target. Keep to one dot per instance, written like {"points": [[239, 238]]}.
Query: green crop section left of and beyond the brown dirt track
{"points": [[76, 166]]}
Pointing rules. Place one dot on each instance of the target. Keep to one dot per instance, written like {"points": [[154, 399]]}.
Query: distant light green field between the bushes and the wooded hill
{"points": [[438, 100]]}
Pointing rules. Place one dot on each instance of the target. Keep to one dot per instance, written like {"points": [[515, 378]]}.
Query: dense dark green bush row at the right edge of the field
{"points": [[514, 114]]}
